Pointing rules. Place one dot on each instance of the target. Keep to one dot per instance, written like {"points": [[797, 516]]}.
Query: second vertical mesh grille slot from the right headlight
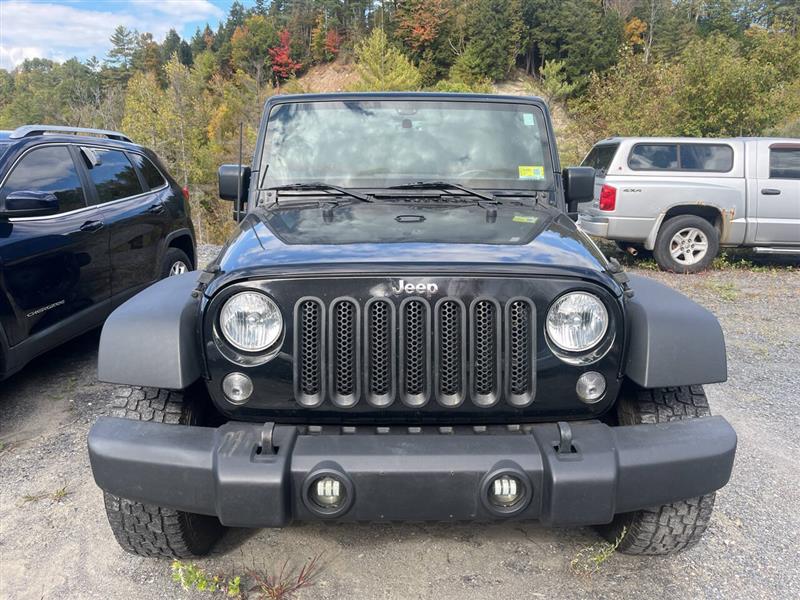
{"points": [[485, 352]]}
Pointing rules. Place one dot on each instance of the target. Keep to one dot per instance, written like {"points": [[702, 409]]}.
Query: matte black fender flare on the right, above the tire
{"points": [[672, 340]]}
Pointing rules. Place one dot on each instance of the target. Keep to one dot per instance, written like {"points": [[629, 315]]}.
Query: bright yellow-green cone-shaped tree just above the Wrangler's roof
{"points": [[383, 67]]}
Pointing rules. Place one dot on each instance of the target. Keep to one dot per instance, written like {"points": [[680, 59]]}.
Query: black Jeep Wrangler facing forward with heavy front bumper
{"points": [[409, 326]]}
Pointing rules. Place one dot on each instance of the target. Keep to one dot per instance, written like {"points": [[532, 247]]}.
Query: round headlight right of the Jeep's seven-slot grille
{"points": [[577, 322]]}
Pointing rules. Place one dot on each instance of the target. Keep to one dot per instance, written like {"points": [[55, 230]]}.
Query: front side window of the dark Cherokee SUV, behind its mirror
{"points": [[48, 169]]}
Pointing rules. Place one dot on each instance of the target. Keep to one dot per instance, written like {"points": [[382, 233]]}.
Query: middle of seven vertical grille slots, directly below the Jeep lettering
{"points": [[415, 351]]}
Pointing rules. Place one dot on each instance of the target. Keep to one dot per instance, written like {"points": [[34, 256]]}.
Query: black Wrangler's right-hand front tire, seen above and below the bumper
{"points": [[677, 525]]}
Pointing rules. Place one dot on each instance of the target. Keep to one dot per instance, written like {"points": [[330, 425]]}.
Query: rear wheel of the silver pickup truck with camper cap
{"points": [[686, 244]]}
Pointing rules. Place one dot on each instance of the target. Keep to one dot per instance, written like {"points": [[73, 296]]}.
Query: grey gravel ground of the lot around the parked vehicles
{"points": [[58, 545]]}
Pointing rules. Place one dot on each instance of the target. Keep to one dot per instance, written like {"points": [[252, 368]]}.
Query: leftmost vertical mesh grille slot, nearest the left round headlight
{"points": [[309, 350]]}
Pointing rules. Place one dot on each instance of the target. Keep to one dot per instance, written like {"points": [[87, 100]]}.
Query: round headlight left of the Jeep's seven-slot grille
{"points": [[251, 321]]}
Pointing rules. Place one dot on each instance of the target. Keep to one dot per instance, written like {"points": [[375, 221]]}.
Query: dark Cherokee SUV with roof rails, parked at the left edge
{"points": [[87, 219]]}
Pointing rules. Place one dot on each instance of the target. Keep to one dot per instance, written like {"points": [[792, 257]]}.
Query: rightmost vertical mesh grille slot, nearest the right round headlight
{"points": [[520, 351]]}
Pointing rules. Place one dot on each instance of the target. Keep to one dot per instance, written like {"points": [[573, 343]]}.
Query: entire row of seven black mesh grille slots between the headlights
{"points": [[415, 351]]}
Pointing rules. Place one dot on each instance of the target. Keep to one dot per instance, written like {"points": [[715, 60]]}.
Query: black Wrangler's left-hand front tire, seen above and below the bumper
{"points": [[147, 529]]}
